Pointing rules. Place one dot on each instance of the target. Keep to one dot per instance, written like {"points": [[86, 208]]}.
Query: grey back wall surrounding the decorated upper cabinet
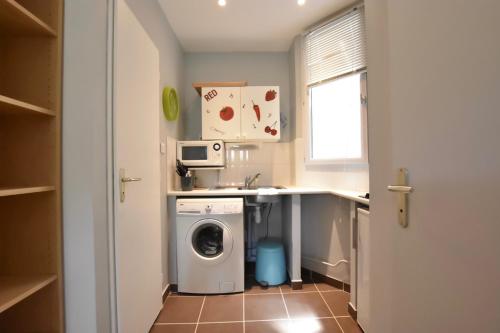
{"points": [[260, 68]]}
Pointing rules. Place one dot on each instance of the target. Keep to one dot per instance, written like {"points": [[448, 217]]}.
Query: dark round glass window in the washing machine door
{"points": [[208, 240]]}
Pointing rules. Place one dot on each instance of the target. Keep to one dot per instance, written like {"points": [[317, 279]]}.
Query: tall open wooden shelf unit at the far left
{"points": [[31, 293]]}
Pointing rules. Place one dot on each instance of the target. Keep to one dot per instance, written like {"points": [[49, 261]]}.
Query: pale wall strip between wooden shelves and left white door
{"points": [[84, 167]]}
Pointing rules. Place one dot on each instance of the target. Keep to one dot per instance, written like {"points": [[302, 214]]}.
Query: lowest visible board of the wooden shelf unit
{"points": [[14, 289]]}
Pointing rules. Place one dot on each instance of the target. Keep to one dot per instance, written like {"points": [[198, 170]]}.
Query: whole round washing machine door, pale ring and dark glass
{"points": [[210, 240]]}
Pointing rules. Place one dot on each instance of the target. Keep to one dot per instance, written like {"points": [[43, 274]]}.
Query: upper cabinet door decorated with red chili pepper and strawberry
{"points": [[260, 113]]}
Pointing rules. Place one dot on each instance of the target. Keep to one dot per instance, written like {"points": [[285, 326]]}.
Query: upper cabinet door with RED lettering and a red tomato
{"points": [[221, 116]]}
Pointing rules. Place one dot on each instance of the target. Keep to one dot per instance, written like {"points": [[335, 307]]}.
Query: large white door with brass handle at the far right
{"points": [[434, 83]]}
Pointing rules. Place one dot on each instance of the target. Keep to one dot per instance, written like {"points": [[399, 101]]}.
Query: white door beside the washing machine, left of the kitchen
{"points": [[137, 218]]}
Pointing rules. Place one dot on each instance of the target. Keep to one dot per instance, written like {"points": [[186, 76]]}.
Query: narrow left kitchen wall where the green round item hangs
{"points": [[152, 18]]}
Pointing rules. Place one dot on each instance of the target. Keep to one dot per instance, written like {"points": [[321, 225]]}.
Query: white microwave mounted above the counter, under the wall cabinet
{"points": [[201, 153]]}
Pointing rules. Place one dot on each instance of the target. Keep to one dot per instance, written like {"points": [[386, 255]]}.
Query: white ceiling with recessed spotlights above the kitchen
{"points": [[244, 25]]}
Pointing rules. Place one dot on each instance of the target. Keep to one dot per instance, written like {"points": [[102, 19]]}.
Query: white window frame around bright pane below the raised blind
{"points": [[363, 160]]}
